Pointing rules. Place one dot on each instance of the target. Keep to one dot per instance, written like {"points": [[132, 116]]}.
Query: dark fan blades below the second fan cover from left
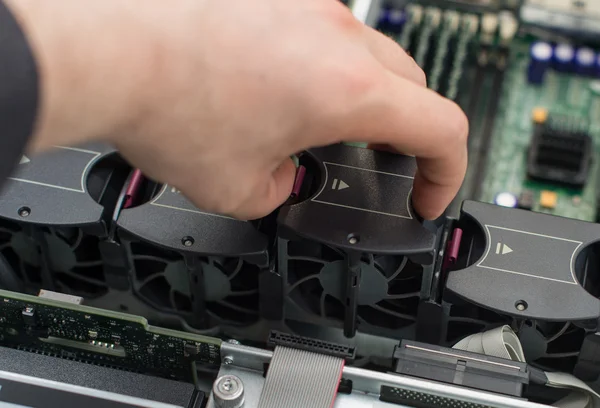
{"points": [[162, 279]]}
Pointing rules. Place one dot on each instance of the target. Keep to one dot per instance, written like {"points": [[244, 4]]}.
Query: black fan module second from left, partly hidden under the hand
{"points": [[203, 268]]}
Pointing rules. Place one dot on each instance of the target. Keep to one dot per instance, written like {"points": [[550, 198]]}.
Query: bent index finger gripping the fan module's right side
{"points": [[417, 121]]}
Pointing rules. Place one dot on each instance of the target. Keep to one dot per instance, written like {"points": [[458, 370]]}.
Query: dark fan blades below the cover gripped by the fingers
{"points": [[388, 299]]}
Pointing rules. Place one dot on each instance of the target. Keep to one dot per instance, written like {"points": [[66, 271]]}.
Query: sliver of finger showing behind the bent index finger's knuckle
{"points": [[393, 57]]}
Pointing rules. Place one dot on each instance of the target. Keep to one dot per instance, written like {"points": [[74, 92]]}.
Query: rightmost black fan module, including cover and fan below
{"points": [[532, 271]]}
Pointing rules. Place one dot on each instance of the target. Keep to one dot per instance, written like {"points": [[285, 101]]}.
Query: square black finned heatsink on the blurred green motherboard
{"points": [[560, 152]]}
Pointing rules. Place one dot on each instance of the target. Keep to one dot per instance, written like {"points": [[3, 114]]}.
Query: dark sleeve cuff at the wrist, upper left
{"points": [[18, 92]]}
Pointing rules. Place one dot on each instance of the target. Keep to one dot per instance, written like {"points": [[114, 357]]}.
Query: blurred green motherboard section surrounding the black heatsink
{"points": [[567, 95]]}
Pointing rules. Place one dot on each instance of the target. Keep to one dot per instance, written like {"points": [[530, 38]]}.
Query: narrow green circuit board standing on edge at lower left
{"points": [[102, 337]]}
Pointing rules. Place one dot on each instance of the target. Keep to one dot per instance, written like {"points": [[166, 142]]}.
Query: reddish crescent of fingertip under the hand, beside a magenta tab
{"points": [[274, 191]]}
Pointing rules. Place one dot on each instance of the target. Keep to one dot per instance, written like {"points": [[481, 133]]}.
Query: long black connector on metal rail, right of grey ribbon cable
{"points": [[451, 366]]}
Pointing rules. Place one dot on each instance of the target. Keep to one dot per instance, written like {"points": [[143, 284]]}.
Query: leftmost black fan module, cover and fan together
{"points": [[54, 212]]}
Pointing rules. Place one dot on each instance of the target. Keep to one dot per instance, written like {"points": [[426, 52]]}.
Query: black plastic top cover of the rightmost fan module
{"points": [[524, 264]]}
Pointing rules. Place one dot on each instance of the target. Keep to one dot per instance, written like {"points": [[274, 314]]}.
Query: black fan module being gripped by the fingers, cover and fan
{"points": [[351, 250]]}
